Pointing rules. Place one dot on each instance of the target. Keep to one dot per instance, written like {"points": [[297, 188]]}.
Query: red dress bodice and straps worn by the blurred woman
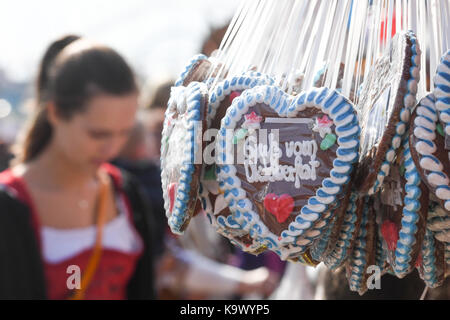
{"points": [[115, 268]]}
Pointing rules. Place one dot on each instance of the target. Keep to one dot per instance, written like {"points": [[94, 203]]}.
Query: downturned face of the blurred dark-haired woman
{"points": [[98, 133]]}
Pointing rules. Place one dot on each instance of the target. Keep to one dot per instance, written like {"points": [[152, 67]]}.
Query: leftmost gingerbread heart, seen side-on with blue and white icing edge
{"points": [[184, 126]]}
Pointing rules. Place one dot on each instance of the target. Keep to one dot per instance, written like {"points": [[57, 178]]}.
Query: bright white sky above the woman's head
{"points": [[156, 36]]}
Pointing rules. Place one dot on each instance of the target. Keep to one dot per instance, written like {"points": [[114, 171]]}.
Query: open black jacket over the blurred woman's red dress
{"points": [[21, 266]]}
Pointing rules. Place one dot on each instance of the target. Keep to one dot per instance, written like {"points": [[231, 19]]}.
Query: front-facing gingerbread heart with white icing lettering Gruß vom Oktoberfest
{"points": [[282, 154]]}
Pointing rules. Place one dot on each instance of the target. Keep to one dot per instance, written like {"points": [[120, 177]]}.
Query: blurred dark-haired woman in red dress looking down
{"points": [[72, 226]]}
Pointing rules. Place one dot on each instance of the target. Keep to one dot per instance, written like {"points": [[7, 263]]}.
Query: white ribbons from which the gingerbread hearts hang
{"points": [[338, 39]]}
